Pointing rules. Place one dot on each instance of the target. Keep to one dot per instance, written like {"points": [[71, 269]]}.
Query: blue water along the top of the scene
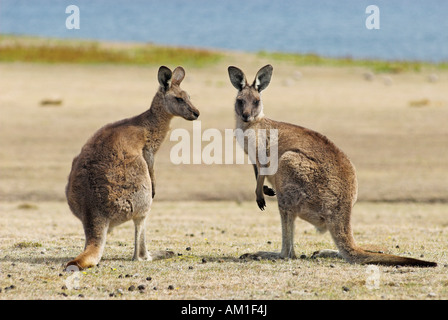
{"points": [[409, 30]]}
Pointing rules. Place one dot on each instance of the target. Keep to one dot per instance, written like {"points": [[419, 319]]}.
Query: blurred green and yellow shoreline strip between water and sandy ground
{"points": [[127, 52]]}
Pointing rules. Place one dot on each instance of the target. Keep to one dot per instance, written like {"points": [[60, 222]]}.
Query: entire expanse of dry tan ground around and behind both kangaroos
{"points": [[400, 153]]}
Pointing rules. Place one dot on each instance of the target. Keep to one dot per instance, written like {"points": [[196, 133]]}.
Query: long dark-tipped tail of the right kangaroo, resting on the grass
{"points": [[342, 236]]}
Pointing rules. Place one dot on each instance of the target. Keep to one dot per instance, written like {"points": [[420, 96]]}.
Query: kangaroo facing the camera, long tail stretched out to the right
{"points": [[314, 180]]}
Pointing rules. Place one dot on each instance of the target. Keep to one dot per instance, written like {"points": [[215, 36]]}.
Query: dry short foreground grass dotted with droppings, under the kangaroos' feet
{"points": [[209, 237]]}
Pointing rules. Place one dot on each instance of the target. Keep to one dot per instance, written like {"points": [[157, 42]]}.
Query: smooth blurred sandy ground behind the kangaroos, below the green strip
{"points": [[400, 151]]}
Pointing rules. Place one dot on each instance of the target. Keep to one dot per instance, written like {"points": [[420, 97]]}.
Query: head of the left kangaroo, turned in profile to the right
{"points": [[177, 101]]}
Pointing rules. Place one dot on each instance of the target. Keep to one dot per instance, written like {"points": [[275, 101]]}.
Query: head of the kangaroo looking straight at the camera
{"points": [[248, 105]]}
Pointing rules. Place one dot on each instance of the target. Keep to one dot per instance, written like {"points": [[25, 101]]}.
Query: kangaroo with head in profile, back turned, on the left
{"points": [[112, 179]]}
